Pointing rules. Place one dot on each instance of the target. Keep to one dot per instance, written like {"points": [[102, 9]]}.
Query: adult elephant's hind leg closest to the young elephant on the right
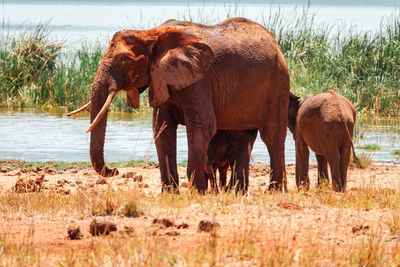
{"points": [[273, 134]]}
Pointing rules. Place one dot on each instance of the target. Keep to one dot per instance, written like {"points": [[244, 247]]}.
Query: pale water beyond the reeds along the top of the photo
{"points": [[86, 21]]}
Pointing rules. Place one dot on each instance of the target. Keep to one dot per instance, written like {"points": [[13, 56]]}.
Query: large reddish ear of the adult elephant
{"points": [[179, 67]]}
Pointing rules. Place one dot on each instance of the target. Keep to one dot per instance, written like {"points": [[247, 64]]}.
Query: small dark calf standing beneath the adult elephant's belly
{"points": [[230, 149]]}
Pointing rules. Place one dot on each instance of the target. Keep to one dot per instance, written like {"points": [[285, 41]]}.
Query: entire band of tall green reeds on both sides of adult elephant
{"points": [[362, 66]]}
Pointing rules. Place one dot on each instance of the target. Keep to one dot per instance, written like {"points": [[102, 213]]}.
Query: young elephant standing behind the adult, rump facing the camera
{"points": [[325, 123]]}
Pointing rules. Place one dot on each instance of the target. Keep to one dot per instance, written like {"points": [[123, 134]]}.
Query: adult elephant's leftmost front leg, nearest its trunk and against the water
{"points": [[164, 131]]}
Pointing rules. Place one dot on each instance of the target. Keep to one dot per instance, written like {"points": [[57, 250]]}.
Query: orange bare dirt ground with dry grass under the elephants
{"points": [[293, 225]]}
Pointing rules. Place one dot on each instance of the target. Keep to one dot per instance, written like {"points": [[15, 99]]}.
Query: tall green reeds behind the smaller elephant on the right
{"points": [[364, 67]]}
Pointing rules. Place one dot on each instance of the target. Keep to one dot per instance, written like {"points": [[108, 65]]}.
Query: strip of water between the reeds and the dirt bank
{"points": [[55, 137]]}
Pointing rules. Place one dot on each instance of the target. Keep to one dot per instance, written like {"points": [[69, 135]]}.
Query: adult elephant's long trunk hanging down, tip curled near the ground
{"points": [[102, 94]]}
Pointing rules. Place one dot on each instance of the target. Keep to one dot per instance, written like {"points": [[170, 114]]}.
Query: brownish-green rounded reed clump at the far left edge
{"points": [[28, 68]]}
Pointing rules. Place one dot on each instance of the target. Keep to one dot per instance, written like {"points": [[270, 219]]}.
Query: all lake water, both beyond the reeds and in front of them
{"points": [[43, 137]]}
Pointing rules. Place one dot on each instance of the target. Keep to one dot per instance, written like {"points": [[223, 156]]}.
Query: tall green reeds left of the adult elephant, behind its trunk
{"points": [[36, 72]]}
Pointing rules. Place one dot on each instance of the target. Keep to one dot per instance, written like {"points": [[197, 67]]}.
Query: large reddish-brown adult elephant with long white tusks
{"points": [[229, 76]]}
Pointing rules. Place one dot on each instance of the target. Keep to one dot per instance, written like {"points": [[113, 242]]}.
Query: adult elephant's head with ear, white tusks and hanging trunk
{"points": [[165, 59]]}
